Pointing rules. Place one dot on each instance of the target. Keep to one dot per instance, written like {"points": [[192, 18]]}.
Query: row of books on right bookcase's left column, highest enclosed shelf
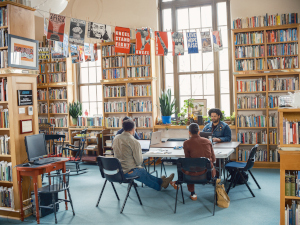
{"points": [[249, 38]]}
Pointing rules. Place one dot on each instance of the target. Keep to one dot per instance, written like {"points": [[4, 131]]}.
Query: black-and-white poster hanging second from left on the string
{"points": [[77, 32]]}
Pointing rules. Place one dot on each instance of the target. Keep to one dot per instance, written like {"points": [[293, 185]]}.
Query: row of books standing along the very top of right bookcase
{"points": [[267, 20]]}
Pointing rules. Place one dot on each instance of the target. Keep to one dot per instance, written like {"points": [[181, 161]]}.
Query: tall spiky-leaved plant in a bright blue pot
{"points": [[167, 106]]}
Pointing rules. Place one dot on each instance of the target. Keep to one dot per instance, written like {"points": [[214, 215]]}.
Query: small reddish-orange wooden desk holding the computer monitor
{"points": [[34, 171]]}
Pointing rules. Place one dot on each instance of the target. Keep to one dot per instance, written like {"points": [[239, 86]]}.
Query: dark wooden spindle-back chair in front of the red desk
{"points": [[59, 183]]}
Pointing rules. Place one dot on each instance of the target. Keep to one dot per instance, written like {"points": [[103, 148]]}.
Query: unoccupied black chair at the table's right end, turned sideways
{"points": [[238, 167]]}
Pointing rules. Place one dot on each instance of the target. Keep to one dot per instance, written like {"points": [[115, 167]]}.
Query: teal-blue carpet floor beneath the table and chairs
{"points": [[158, 207]]}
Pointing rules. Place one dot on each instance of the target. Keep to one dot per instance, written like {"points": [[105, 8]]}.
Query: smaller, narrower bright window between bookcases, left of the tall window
{"points": [[90, 87]]}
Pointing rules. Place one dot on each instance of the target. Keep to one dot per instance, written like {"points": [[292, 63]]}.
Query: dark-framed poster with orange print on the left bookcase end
{"points": [[23, 52]]}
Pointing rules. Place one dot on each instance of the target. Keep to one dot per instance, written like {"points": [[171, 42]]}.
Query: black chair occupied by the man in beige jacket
{"points": [[111, 170]]}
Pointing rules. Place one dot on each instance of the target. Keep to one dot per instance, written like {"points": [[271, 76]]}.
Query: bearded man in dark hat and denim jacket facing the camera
{"points": [[221, 132]]}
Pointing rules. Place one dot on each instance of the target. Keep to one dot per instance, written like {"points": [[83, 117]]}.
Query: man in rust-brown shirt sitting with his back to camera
{"points": [[197, 147]]}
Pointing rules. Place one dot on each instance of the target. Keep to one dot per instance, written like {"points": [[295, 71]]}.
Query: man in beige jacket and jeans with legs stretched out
{"points": [[128, 150]]}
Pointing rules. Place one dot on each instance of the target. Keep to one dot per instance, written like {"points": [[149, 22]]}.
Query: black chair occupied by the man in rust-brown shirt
{"points": [[194, 165]]}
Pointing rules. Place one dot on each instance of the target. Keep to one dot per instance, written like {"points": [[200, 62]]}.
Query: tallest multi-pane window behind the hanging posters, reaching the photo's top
{"points": [[202, 75]]}
